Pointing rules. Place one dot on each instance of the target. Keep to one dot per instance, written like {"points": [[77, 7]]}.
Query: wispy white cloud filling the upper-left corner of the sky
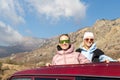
{"points": [[11, 12]]}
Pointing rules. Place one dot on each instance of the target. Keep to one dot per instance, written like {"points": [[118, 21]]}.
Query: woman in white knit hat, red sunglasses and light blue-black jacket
{"points": [[90, 51]]}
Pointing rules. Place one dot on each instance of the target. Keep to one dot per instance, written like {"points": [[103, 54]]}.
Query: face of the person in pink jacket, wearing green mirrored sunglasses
{"points": [[64, 42]]}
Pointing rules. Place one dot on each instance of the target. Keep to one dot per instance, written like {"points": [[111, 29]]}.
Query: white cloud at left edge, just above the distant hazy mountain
{"points": [[8, 35]]}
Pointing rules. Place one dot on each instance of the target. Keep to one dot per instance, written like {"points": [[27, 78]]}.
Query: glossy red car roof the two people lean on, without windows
{"points": [[111, 69]]}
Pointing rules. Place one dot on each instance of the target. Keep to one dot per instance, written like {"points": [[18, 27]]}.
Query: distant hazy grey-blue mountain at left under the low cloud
{"points": [[28, 44]]}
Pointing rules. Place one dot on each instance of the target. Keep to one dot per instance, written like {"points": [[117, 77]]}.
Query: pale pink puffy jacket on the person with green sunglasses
{"points": [[69, 57]]}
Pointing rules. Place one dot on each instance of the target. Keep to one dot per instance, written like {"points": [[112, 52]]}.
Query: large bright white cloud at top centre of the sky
{"points": [[56, 9]]}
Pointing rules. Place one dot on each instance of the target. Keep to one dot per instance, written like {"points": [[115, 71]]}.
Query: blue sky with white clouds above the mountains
{"points": [[49, 18]]}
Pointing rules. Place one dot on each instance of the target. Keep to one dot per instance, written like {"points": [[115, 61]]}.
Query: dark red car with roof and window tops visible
{"points": [[91, 71]]}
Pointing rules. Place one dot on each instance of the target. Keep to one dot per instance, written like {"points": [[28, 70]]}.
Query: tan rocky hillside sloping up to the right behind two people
{"points": [[107, 37]]}
